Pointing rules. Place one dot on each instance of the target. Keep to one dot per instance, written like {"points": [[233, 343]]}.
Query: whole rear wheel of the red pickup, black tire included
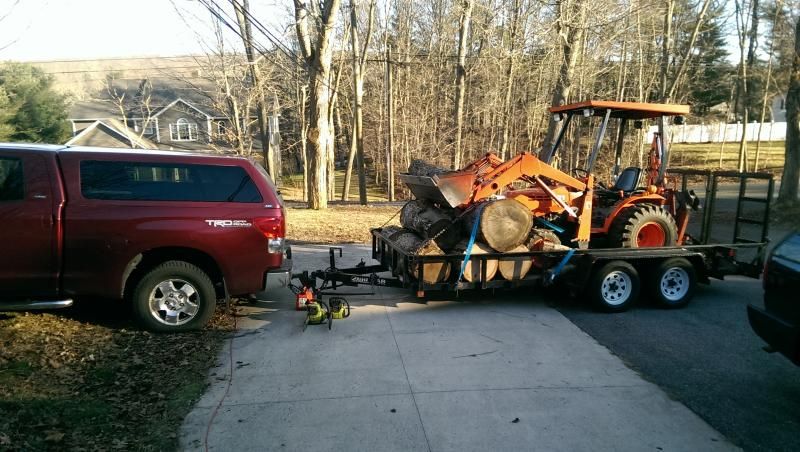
{"points": [[175, 296]]}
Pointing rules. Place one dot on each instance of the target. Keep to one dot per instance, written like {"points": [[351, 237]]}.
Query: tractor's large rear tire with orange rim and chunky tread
{"points": [[643, 226]]}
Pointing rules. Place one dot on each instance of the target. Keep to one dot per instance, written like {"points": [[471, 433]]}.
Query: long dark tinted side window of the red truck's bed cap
{"points": [[137, 181]]}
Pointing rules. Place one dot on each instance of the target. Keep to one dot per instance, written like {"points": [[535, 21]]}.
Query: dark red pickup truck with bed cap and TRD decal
{"points": [[172, 232]]}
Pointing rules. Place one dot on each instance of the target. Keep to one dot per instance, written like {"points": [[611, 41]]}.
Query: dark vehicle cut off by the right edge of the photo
{"points": [[779, 322]]}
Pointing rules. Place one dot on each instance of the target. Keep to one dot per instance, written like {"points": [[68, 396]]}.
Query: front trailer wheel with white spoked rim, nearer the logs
{"points": [[615, 287]]}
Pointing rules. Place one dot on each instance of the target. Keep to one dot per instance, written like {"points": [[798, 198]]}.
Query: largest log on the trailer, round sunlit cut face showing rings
{"points": [[504, 224]]}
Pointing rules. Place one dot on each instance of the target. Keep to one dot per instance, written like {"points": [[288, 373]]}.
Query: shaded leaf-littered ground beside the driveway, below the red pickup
{"points": [[68, 383]]}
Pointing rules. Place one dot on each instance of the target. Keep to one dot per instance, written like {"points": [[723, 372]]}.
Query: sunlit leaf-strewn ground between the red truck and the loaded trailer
{"points": [[338, 224]]}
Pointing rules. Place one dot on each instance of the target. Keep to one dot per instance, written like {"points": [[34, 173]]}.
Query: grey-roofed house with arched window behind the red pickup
{"points": [[158, 113]]}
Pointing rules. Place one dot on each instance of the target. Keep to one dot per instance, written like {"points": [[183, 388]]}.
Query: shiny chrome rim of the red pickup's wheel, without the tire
{"points": [[174, 302]]}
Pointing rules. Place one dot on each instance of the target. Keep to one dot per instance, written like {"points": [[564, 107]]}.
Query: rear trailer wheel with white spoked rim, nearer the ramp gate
{"points": [[673, 282]]}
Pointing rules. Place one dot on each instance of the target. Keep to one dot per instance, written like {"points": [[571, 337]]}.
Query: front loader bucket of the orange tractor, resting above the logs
{"points": [[453, 189]]}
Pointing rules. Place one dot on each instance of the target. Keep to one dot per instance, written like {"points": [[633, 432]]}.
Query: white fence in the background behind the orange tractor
{"points": [[719, 132]]}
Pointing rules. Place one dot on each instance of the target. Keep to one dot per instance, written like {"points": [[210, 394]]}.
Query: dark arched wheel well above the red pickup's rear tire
{"points": [[144, 262]]}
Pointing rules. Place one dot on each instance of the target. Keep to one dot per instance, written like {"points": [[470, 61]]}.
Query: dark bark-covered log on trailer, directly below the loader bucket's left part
{"points": [[430, 221]]}
